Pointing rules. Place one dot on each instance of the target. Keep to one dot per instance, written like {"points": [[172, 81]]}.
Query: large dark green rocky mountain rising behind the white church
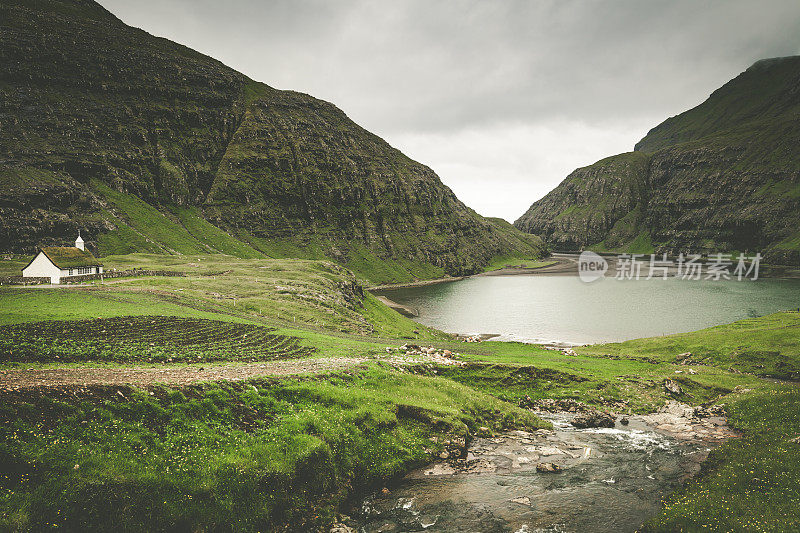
{"points": [[149, 146]]}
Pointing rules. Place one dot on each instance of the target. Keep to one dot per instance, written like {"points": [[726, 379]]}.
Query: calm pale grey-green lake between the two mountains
{"points": [[552, 308]]}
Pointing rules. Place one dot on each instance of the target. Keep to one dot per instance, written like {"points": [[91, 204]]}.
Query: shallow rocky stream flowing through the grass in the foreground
{"points": [[612, 480]]}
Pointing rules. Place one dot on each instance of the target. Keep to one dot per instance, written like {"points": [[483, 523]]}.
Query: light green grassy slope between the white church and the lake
{"points": [[302, 293]]}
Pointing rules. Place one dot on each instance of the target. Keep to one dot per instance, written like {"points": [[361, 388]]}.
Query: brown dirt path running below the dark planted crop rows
{"points": [[18, 379]]}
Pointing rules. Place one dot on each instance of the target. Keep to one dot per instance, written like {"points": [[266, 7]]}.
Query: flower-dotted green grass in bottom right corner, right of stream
{"points": [[750, 484]]}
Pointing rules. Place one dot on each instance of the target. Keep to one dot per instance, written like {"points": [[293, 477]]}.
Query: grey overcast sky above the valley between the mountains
{"points": [[502, 99]]}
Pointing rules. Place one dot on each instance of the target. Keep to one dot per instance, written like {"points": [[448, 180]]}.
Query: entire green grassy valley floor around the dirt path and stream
{"points": [[264, 453]]}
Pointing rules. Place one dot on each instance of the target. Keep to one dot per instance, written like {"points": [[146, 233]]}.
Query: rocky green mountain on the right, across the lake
{"points": [[723, 176]]}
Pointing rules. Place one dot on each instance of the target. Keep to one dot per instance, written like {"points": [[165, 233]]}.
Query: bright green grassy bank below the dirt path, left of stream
{"points": [[252, 456]]}
